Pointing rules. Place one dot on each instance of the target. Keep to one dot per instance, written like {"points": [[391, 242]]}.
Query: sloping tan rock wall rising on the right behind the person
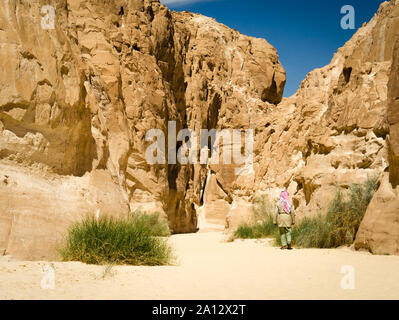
{"points": [[339, 128]]}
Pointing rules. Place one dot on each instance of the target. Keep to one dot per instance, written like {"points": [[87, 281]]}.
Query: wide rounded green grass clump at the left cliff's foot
{"points": [[136, 240]]}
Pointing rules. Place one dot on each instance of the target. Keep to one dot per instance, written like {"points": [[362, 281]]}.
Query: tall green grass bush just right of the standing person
{"points": [[341, 223]]}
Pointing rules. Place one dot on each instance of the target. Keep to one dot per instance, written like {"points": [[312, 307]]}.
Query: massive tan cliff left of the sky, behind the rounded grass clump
{"points": [[76, 103]]}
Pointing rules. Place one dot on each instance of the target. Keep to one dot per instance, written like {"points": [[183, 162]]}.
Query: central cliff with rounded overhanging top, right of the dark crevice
{"points": [[231, 81]]}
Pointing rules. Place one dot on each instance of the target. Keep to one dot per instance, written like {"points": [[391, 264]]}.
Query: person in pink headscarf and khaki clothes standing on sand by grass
{"points": [[284, 218]]}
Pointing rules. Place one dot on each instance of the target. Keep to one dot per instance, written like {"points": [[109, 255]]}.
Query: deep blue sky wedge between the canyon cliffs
{"points": [[306, 33]]}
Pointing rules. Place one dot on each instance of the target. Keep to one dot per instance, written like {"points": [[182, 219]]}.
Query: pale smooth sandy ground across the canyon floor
{"points": [[209, 268]]}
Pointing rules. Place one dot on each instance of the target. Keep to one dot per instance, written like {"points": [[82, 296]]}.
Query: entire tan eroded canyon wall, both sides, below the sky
{"points": [[77, 101]]}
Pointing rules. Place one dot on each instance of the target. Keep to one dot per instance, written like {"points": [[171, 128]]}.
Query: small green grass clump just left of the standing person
{"points": [[263, 226]]}
